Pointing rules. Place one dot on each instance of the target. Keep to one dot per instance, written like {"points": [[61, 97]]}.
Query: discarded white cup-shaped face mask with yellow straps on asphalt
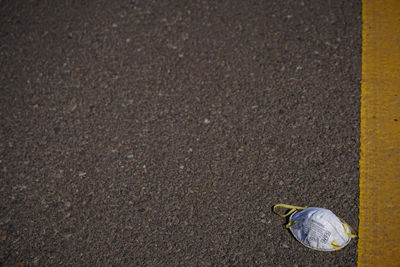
{"points": [[317, 228]]}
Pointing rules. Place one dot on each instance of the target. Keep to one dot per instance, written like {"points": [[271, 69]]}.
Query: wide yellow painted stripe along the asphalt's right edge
{"points": [[379, 229]]}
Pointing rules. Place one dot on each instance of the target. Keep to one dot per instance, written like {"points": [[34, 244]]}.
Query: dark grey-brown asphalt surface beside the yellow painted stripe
{"points": [[161, 133]]}
